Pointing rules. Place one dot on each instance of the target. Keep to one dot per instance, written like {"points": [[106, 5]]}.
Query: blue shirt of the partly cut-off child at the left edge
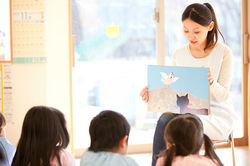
{"points": [[8, 150]]}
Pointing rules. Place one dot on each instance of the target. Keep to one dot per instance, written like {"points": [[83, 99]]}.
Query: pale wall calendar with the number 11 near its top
{"points": [[28, 31]]}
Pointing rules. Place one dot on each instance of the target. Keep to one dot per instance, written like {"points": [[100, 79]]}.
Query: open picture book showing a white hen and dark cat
{"points": [[178, 89]]}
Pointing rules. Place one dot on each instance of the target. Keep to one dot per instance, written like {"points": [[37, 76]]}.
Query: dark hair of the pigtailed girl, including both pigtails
{"points": [[185, 134]]}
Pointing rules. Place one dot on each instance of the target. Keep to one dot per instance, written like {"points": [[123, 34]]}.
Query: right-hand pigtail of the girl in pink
{"points": [[209, 150]]}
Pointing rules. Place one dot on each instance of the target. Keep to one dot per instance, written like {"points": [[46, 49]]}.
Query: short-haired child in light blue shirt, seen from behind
{"points": [[109, 133]]}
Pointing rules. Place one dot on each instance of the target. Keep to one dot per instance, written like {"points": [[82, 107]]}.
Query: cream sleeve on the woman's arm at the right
{"points": [[220, 88]]}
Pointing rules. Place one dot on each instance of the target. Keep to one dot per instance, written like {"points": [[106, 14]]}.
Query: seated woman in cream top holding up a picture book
{"points": [[204, 50]]}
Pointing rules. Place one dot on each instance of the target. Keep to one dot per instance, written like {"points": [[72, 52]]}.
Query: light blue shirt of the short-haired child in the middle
{"points": [[90, 158]]}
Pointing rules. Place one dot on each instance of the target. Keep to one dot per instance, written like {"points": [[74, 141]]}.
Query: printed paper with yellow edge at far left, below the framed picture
{"points": [[6, 92]]}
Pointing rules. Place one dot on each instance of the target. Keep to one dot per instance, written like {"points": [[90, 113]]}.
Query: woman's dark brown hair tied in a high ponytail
{"points": [[203, 14]]}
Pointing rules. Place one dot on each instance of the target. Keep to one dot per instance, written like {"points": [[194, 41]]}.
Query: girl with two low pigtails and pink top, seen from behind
{"points": [[184, 137]]}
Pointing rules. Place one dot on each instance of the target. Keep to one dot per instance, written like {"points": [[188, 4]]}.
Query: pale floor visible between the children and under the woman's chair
{"points": [[242, 156]]}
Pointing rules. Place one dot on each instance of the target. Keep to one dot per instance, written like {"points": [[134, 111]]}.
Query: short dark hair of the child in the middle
{"points": [[106, 130]]}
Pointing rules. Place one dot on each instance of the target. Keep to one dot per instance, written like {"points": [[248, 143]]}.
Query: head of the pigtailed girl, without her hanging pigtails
{"points": [[185, 133]]}
